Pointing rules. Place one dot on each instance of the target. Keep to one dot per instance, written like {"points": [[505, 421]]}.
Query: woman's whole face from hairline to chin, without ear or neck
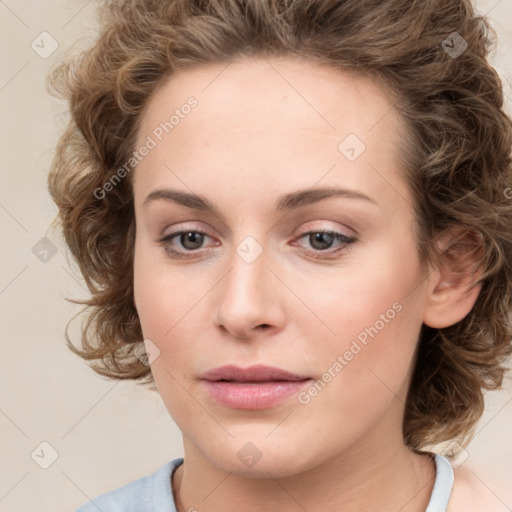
{"points": [[258, 283]]}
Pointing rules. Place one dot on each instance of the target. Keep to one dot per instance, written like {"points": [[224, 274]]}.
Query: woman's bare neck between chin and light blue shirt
{"points": [[388, 477]]}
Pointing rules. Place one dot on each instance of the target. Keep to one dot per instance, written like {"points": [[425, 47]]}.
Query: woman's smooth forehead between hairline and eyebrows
{"points": [[269, 121]]}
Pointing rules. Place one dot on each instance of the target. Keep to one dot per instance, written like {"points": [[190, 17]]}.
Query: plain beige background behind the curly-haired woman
{"points": [[105, 433]]}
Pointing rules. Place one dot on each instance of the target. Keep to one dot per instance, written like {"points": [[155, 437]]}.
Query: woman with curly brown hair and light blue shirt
{"points": [[293, 220]]}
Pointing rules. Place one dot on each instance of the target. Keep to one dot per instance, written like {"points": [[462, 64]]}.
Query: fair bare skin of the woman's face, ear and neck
{"points": [[263, 128]]}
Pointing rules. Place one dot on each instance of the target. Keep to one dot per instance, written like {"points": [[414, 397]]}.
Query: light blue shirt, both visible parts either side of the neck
{"points": [[153, 493]]}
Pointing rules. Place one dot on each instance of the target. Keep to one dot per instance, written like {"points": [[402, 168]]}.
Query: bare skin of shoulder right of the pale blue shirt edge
{"points": [[471, 494]]}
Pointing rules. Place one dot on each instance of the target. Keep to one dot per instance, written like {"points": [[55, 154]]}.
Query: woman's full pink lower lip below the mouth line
{"points": [[257, 395]]}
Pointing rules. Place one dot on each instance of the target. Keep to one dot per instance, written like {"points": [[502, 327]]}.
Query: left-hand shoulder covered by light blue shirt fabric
{"points": [[139, 495]]}
